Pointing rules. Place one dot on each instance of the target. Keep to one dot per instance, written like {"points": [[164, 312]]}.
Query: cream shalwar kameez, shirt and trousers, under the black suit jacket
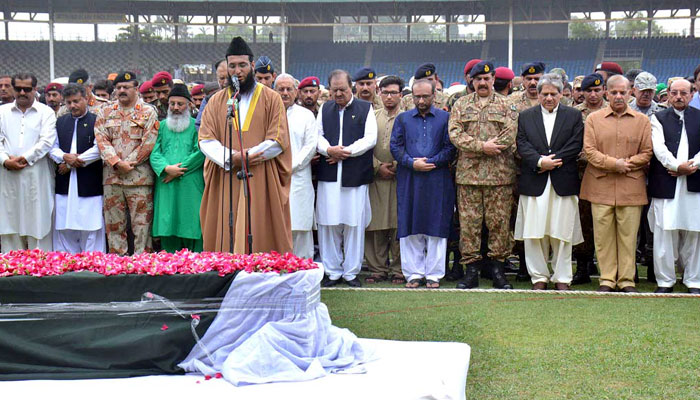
{"points": [[548, 222]]}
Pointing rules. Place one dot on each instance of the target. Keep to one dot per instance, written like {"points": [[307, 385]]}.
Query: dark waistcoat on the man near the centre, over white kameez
{"points": [[358, 170]]}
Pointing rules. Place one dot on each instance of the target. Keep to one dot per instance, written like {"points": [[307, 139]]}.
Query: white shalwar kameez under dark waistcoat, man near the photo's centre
{"points": [[343, 213]]}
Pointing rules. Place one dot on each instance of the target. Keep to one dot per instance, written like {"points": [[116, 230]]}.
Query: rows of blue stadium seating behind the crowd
{"points": [[663, 56]]}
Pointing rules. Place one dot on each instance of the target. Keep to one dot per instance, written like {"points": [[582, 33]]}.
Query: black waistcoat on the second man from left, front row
{"points": [[89, 177]]}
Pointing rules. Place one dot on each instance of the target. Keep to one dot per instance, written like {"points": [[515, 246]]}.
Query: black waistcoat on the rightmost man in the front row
{"points": [[661, 184]]}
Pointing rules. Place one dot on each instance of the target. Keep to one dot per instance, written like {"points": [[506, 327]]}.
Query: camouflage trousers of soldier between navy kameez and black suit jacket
{"points": [[491, 204]]}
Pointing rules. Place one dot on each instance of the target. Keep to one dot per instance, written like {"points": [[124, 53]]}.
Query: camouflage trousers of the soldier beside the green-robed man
{"points": [[139, 201]]}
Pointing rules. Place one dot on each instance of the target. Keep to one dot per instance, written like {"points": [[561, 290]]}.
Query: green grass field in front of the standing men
{"points": [[544, 346]]}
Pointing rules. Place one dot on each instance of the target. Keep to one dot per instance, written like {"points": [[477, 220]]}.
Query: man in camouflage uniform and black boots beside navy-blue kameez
{"points": [[483, 127]]}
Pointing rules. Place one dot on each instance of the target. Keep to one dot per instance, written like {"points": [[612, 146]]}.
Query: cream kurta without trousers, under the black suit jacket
{"points": [[549, 214]]}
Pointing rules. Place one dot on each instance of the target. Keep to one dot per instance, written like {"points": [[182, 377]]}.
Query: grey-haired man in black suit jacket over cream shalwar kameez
{"points": [[550, 137]]}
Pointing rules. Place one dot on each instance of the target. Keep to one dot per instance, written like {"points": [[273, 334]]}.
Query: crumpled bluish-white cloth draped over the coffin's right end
{"points": [[274, 328]]}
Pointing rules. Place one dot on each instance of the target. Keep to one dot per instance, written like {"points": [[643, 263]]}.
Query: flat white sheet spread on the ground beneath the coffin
{"points": [[439, 371]]}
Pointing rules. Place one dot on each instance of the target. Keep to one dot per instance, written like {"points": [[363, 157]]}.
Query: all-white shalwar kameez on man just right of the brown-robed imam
{"points": [[303, 137]]}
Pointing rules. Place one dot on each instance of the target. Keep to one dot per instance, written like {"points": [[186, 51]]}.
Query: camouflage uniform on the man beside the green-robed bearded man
{"points": [[127, 135]]}
